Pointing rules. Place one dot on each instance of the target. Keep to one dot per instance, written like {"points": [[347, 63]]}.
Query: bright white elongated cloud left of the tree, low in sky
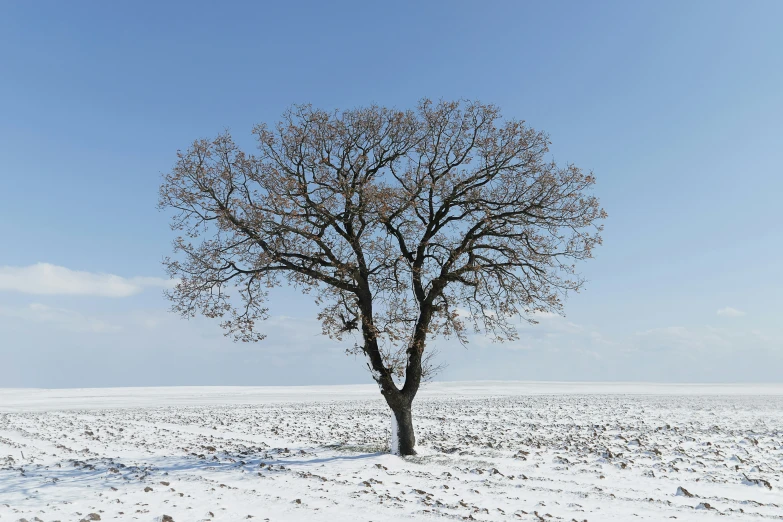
{"points": [[48, 279]]}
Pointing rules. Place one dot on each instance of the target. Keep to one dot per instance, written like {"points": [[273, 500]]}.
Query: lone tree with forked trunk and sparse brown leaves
{"points": [[405, 225]]}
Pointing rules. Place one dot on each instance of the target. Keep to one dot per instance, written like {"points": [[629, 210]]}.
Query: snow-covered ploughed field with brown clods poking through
{"points": [[488, 451]]}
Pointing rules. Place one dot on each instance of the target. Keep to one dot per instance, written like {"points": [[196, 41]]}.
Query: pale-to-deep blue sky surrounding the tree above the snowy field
{"points": [[677, 107]]}
